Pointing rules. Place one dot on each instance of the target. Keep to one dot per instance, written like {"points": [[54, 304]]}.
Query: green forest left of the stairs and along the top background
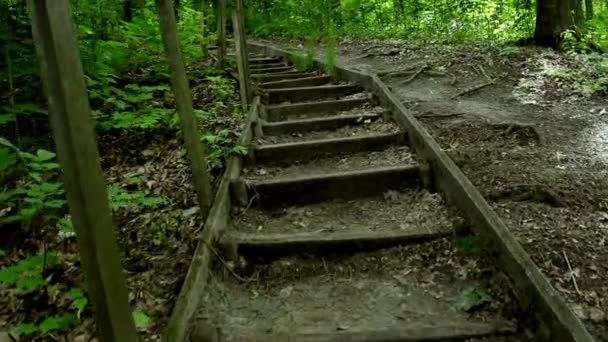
{"points": [[128, 85]]}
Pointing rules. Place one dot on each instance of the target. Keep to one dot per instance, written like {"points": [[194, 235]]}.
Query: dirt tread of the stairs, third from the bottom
{"points": [[340, 162]]}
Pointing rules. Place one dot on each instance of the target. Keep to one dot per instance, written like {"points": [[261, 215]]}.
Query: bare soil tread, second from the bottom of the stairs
{"points": [[394, 211]]}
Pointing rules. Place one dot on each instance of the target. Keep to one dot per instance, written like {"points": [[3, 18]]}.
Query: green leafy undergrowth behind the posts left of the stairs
{"points": [[42, 288]]}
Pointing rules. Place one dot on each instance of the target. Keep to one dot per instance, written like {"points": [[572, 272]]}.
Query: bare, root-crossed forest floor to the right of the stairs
{"points": [[525, 127]]}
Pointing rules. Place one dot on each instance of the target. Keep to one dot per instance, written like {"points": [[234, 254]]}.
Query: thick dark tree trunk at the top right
{"points": [[553, 17]]}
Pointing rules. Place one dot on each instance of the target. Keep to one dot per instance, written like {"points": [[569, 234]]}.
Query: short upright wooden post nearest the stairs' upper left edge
{"points": [[242, 59]]}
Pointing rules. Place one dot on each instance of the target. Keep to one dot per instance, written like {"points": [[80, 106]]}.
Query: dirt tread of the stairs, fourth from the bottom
{"points": [[362, 127]]}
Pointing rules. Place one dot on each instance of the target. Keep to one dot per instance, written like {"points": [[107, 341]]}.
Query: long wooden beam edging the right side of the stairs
{"points": [[534, 292]]}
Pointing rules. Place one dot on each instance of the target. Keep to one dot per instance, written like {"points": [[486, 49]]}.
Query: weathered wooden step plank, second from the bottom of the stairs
{"points": [[277, 245]]}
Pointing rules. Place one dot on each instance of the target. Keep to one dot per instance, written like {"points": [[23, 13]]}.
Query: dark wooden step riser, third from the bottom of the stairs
{"points": [[315, 188]]}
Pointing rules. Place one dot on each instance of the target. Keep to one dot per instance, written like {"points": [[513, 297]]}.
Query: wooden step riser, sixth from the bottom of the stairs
{"points": [[284, 111]]}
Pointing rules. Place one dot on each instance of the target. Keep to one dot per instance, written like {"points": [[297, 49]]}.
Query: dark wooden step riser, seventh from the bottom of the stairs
{"points": [[301, 94]]}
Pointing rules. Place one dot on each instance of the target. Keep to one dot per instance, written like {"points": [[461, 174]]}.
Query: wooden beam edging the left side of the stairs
{"points": [[194, 284]]}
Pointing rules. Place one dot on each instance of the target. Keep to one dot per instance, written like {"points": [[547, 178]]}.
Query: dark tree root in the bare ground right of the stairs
{"points": [[531, 192]]}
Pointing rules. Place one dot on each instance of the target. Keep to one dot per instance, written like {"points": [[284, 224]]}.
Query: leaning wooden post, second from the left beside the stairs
{"points": [[183, 99]]}
